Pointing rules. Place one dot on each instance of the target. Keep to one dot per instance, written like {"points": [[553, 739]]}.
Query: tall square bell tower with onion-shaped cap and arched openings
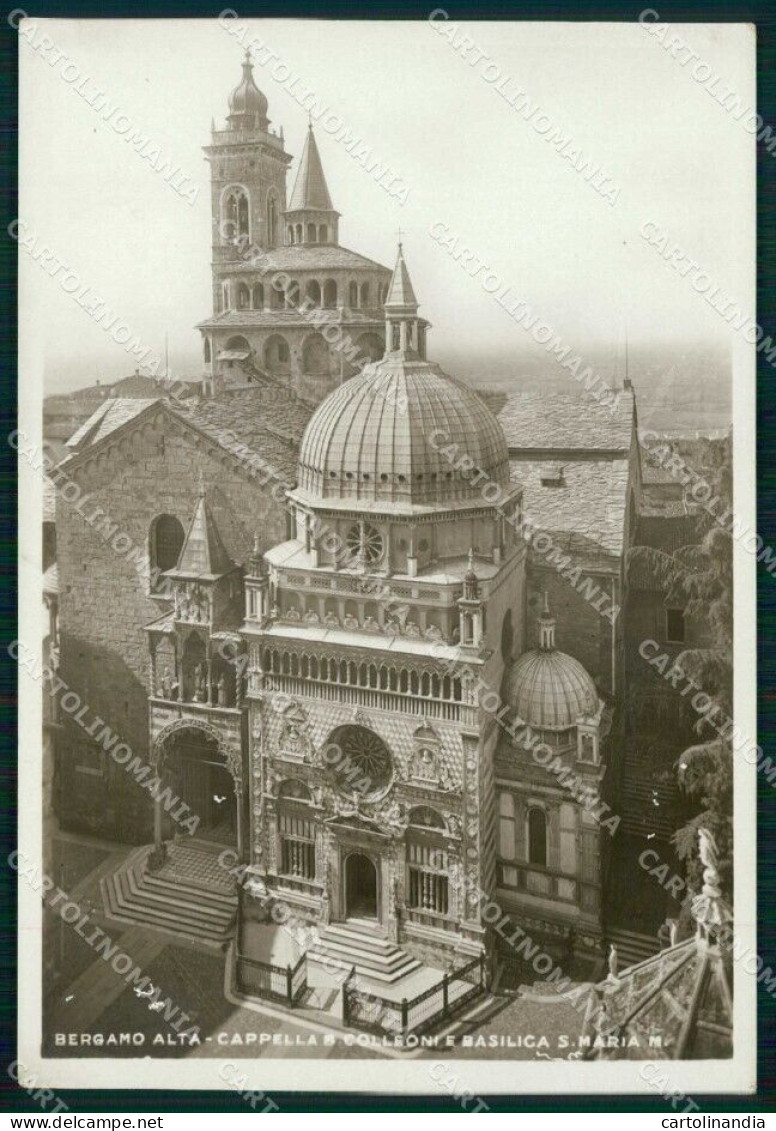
{"points": [[248, 192]]}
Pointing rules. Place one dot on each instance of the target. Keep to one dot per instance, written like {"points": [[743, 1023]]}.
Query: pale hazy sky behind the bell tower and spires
{"points": [[469, 161]]}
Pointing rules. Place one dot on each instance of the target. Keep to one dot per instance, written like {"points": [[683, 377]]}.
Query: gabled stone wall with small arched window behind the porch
{"points": [[105, 602]]}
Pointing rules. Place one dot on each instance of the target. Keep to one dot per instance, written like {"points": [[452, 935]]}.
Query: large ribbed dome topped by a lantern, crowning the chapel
{"points": [[380, 438]]}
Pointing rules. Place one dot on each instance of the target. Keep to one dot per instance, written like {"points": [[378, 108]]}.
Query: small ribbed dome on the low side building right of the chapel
{"points": [[550, 689]]}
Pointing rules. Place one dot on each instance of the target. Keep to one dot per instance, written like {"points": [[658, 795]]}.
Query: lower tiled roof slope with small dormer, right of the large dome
{"points": [[587, 514]]}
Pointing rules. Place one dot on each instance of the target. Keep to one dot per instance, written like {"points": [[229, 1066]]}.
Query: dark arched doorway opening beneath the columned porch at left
{"points": [[196, 773]]}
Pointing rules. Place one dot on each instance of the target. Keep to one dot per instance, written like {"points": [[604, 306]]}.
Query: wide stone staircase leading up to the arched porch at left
{"points": [[183, 909]]}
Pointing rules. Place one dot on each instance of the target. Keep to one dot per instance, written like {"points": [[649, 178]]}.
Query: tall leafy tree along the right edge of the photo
{"points": [[700, 580]]}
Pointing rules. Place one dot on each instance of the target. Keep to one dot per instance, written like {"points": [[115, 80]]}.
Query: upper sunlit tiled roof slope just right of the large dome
{"points": [[538, 421]]}
